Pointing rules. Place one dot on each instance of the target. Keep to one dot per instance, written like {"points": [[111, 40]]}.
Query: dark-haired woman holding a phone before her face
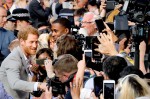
{"points": [[42, 69]]}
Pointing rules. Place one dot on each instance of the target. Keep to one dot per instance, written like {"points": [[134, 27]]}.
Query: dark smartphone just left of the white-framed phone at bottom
{"points": [[98, 85]]}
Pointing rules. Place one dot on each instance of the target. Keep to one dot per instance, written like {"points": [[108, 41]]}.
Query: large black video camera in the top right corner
{"points": [[138, 10]]}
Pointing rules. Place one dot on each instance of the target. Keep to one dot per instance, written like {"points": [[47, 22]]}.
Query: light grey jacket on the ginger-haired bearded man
{"points": [[14, 75]]}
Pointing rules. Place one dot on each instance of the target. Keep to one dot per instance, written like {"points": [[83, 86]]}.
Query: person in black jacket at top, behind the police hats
{"points": [[39, 11]]}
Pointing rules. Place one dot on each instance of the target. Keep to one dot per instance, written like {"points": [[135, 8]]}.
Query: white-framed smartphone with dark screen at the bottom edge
{"points": [[109, 89]]}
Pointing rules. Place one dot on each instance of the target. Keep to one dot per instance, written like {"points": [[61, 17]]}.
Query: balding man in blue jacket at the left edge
{"points": [[5, 36]]}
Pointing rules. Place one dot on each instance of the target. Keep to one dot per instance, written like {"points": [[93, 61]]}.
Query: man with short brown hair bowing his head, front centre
{"points": [[65, 69]]}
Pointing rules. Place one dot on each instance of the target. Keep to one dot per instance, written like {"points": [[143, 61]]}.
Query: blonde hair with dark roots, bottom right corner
{"points": [[132, 86]]}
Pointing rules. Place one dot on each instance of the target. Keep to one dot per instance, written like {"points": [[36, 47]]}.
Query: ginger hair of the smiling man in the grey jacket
{"points": [[24, 32]]}
